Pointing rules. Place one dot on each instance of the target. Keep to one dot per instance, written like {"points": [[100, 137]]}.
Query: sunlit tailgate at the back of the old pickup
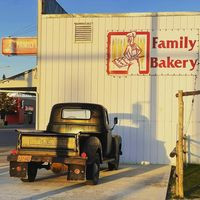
{"points": [[47, 143]]}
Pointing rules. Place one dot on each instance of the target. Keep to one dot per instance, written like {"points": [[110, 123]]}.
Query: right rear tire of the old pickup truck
{"points": [[92, 170]]}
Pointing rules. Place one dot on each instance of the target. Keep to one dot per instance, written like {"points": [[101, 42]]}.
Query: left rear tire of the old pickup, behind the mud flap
{"points": [[31, 172]]}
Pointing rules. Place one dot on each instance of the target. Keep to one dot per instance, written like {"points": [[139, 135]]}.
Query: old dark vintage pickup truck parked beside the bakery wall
{"points": [[77, 140]]}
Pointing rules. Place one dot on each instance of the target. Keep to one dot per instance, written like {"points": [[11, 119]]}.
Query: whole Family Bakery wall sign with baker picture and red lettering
{"points": [[168, 52]]}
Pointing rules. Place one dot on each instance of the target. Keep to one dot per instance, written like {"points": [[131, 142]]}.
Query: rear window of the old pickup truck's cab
{"points": [[76, 114]]}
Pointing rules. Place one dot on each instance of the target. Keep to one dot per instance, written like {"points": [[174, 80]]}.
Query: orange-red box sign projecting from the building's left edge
{"points": [[19, 46]]}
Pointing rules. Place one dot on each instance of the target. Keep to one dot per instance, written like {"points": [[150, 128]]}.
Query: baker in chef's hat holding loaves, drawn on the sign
{"points": [[131, 55]]}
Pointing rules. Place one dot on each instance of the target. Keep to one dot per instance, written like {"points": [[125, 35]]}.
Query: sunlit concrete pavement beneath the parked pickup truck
{"points": [[127, 183]]}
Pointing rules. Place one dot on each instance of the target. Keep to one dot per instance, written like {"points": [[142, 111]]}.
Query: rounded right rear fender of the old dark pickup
{"points": [[92, 146]]}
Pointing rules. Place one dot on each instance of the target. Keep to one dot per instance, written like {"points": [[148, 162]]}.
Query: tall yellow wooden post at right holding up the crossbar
{"points": [[180, 144]]}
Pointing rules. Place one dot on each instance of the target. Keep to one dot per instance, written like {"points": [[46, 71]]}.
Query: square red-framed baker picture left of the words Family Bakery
{"points": [[128, 52]]}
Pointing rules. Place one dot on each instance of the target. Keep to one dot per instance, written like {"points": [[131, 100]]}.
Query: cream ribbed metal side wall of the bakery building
{"points": [[145, 105]]}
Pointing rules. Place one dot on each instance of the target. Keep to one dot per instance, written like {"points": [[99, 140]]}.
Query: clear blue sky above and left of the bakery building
{"points": [[19, 18]]}
